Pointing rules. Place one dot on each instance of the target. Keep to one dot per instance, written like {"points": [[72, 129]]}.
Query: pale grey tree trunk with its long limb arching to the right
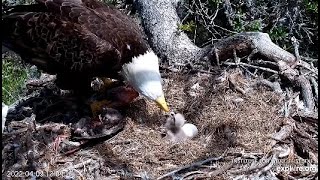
{"points": [[161, 24]]}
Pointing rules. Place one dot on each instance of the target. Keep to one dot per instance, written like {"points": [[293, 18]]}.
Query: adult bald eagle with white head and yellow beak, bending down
{"points": [[81, 39]]}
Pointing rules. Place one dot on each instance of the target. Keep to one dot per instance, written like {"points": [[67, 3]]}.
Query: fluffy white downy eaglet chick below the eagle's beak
{"points": [[178, 130]]}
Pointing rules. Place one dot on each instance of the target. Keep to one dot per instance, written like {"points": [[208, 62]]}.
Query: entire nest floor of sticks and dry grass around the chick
{"points": [[240, 127]]}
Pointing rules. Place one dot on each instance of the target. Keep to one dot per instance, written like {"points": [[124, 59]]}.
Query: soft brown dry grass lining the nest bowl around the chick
{"points": [[224, 125]]}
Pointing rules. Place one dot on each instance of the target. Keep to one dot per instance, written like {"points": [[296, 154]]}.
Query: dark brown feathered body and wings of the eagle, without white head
{"points": [[72, 35]]}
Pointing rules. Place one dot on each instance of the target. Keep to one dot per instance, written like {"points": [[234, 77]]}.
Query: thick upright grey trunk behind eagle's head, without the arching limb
{"points": [[160, 22]]}
